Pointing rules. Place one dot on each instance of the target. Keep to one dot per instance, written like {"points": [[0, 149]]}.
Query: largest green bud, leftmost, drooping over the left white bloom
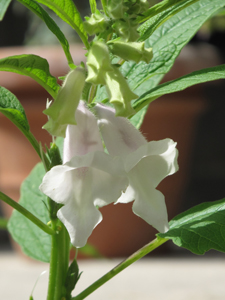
{"points": [[62, 111]]}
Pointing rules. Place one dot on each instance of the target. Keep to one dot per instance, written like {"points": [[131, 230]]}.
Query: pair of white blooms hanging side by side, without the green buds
{"points": [[90, 178]]}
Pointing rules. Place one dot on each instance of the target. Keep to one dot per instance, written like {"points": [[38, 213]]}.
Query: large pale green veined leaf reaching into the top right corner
{"points": [[167, 42]]}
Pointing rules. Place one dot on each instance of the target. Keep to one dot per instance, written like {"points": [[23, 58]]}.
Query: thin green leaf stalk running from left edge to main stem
{"points": [[26, 213]]}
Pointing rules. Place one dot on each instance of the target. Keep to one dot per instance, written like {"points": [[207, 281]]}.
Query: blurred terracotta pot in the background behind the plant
{"points": [[175, 116]]}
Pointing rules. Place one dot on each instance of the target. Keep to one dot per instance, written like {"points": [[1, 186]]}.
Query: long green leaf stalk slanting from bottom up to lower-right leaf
{"points": [[123, 265]]}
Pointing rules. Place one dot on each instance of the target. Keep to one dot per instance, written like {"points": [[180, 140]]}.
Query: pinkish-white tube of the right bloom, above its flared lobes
{"points": [[120, 136]]}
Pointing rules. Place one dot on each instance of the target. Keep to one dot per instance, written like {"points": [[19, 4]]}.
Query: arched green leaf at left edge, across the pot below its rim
{"points": [[33, 66]]}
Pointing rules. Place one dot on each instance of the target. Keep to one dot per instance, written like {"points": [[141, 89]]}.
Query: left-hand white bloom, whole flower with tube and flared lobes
{"points": [[88, 178]]}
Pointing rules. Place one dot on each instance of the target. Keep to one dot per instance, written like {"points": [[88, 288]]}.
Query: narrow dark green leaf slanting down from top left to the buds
{"points": [[41, 13]]}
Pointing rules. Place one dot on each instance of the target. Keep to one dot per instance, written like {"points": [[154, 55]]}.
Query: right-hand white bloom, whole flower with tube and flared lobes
{"points": [[146, 165]]}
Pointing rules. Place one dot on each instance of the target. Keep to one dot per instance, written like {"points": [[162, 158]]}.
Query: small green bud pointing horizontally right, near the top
{"points": [[131, 51]]}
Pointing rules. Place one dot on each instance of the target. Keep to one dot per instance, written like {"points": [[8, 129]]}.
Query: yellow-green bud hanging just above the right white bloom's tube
{"points": [[120, 93]]}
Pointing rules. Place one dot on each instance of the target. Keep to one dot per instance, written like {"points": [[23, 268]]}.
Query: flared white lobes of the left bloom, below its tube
{"points": [[81, 184]]}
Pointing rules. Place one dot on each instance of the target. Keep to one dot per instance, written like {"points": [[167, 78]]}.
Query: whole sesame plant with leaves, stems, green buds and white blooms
{"points": [[96, 114]]}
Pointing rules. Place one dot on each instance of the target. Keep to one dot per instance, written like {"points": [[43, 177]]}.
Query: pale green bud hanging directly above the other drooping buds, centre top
{"points": [[98, 63]]}
